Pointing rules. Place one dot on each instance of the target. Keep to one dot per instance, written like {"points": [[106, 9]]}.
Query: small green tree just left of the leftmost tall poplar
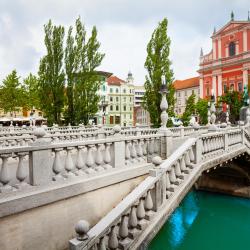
{"points": [[31, 88]]}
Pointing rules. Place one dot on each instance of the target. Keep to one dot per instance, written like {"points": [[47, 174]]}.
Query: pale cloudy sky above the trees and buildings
{"points": [[124, 29]]}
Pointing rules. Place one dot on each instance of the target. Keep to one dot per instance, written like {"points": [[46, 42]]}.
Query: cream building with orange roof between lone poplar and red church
{"points": [[184, 89]]}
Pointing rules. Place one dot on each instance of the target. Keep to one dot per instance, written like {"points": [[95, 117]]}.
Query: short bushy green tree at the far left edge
{"points": [[12, 94]]}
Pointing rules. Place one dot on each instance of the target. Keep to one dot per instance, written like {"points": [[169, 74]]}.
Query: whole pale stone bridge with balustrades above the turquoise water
{"points": [[124, 182]]}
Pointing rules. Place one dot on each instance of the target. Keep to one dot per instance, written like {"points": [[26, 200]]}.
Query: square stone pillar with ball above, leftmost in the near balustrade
{"points": [[40, 160]]}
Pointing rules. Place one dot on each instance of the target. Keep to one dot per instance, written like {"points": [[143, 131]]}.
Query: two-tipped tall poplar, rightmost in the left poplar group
{"points": [[87, 81]]}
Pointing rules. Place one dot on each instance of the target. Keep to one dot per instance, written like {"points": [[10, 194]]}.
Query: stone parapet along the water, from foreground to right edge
{"points": [[134, 221]]}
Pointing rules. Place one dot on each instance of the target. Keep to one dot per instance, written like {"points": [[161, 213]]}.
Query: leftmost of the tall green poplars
{"points": [[51, 74]]}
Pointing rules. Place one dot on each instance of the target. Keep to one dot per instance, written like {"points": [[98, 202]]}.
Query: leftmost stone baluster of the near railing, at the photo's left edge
{"points": [[5, 177]]}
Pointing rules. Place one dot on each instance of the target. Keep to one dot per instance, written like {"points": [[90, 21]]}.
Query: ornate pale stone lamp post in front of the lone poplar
{"points": [[164, 104]]}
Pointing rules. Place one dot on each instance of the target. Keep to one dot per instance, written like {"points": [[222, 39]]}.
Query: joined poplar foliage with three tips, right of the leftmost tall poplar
{"points": [[82, 57]]}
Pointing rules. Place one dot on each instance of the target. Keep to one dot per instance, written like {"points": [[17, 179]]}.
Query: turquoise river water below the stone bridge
{"points": [[206, 221]]}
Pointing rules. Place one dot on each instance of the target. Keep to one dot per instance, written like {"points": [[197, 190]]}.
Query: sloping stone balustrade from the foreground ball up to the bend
{"points": [[120, 228]]}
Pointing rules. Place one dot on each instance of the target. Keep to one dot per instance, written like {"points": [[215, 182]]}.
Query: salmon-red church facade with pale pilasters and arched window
{"points": [[227, 66]]}
